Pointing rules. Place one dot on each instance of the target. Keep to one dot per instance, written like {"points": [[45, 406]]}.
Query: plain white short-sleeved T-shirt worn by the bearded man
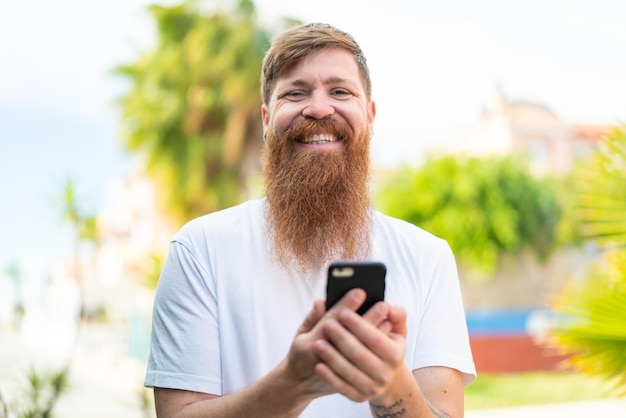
{"points": [[225, 314]]}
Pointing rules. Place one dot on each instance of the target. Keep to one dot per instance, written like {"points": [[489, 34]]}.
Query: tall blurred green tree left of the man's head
{"points": [[193, 110]]}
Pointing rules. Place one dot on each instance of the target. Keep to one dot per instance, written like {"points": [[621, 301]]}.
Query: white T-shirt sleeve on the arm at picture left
{"points": [[184, 344]]}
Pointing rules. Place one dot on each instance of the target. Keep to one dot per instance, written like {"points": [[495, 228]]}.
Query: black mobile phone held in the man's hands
{"points": [[346, 275]]}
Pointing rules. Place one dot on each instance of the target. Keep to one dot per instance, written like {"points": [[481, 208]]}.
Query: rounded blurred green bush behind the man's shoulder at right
{"points": [[482, 207]]}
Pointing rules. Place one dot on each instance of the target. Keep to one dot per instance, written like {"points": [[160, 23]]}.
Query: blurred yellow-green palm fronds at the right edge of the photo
{"points": [[592, 311]]}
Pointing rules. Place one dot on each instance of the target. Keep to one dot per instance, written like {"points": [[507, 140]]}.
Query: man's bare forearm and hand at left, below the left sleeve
{"points": [[286, 390]]}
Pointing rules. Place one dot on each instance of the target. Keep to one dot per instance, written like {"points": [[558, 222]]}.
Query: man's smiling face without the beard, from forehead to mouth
{"points": [[325, 85]]}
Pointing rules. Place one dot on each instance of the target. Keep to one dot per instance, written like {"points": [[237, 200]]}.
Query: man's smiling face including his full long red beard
{"points": [[316, 161]]}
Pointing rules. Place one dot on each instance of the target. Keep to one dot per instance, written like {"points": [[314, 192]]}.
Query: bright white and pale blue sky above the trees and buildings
{"points": [[435, 67]]}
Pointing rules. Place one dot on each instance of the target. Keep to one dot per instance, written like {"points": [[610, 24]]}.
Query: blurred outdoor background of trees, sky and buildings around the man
{"points": [[500, 128]]}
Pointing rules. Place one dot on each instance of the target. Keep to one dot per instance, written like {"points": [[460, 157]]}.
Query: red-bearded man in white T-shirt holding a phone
{"points": [[240, 328]]}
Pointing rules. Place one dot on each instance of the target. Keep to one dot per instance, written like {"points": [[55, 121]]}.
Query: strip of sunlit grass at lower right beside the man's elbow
{"points": [[496, 391]]}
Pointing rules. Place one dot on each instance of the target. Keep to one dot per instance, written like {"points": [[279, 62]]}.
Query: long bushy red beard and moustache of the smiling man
{"points": [[319, 206]]}
